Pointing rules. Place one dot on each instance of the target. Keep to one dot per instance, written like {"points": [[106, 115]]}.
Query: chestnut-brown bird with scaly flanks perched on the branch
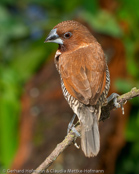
{"points": [[85, 78]]}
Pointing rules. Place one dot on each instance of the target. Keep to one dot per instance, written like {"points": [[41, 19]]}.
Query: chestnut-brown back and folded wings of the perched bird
{"points": [[84, 73]]}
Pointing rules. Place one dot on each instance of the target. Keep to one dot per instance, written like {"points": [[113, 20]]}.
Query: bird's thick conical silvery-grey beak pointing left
{"points": [[53, 37]]}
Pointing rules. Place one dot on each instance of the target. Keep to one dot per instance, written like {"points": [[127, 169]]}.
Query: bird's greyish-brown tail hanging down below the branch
{"points": [[90, 139]]}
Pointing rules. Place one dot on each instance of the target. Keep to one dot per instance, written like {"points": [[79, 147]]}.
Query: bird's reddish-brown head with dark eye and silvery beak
{"points": [[70, 35]]}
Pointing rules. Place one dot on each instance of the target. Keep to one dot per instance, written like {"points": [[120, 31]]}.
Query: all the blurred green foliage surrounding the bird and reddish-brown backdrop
{"points": [[23, 28]]}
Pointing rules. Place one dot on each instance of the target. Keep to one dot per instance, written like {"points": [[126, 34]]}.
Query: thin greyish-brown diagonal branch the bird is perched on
{"points": [[71, 136]]}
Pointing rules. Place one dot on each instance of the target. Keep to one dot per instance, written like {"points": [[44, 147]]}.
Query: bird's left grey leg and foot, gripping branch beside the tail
{"points": [[71, 127]]}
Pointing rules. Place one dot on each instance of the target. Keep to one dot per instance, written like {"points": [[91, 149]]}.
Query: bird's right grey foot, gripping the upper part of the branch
{"points": [[114, 97]]}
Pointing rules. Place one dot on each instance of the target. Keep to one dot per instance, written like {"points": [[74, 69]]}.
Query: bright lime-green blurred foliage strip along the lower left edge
{"points": [[10, 91]]}
